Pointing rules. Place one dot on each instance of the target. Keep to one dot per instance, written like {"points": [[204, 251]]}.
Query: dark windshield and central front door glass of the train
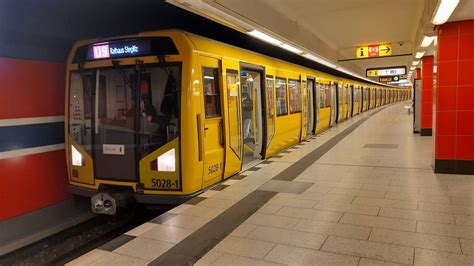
{"points": [[126, 111]]}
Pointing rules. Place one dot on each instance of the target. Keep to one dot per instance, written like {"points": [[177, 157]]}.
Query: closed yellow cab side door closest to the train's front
{"points": [[213, 139]]}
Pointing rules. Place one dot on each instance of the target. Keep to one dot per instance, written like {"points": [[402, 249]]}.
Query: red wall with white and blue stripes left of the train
{"points": [[32, 162]]}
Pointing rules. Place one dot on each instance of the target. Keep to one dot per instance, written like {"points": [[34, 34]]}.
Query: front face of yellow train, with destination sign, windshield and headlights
{"points": [[124, 100]]}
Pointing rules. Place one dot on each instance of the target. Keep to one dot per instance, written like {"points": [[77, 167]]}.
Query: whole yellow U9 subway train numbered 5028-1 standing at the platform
{"points": [[160, 116]]}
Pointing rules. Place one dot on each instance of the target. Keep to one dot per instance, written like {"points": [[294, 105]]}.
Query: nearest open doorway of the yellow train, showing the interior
{"points": [[252, 89]]}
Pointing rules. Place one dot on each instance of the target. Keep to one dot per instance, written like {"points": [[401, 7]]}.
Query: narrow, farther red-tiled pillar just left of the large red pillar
{"points": [[427, 96]]}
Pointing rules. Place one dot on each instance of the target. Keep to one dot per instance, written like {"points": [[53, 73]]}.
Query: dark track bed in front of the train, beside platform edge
{"points": [[71, 243]]}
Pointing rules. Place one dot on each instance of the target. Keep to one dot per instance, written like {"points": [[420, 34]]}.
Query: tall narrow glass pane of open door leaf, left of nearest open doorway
{"points": [[232, 81]]}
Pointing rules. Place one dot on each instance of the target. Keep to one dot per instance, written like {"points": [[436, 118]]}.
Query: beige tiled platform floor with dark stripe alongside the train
{"points": [[361, 193]]}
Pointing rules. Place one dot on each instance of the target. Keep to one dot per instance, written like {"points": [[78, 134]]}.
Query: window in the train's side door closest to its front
{"points": [[210, 83]]}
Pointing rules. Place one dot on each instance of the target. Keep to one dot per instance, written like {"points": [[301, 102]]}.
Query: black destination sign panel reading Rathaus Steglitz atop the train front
{"points": [[130, 47]]}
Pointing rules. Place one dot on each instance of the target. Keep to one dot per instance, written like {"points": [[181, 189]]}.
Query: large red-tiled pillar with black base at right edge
{"points": [[454, 129]]}
